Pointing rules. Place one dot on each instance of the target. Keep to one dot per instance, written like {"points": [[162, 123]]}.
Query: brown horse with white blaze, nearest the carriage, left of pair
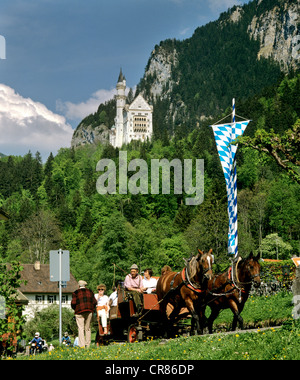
{"points": [[185, 289]]}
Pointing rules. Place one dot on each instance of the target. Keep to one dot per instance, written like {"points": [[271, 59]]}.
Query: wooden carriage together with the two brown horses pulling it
{"points": [[178, 306]]}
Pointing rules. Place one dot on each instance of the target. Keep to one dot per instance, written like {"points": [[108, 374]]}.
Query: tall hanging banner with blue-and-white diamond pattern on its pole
{"points": [[225, 135]]}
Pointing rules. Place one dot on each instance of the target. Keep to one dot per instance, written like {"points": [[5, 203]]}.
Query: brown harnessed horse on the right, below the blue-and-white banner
{"points": [[231, 289]]}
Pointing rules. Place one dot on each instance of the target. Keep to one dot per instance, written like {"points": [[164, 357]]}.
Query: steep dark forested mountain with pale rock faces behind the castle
{"points": [[245, 50]]}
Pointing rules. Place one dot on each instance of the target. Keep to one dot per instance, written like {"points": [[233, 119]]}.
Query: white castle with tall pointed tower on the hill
{"points": [[133, 121]]}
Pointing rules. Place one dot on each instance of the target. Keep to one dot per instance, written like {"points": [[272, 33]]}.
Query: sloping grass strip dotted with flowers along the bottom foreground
{"points": [[271, 344]]}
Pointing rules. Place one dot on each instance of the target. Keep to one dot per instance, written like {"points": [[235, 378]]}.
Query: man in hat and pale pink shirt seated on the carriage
{"points": [[134, 284]]}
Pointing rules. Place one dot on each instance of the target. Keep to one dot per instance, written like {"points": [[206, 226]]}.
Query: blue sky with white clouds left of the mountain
{"points": [[63, 59]]}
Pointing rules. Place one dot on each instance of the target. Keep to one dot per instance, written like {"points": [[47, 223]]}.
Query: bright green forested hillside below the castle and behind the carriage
{"points": [[56, 205]]}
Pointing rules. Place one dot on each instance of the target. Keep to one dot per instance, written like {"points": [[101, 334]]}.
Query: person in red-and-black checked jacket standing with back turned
{"points": [[83, 303]]}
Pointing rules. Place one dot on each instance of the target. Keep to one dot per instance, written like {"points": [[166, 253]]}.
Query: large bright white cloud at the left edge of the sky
{"points": [[28, 125]]}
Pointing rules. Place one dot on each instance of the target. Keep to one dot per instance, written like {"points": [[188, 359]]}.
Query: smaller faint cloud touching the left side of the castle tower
{"points": [[78, 111]]}
